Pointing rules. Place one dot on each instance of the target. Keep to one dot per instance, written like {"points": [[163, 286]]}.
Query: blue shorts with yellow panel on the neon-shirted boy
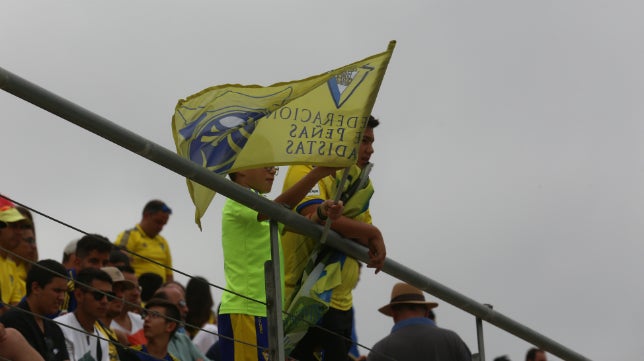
{"points": [[243, 337]]}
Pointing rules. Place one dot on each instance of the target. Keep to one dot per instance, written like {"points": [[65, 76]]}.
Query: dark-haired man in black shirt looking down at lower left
{"points": [[45, 292]]}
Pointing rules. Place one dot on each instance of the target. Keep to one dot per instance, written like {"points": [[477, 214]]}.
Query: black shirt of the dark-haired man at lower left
{"points": [[50, 344]]}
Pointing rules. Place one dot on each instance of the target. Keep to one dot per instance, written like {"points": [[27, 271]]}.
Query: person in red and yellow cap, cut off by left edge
{"points": [[12, 288]]}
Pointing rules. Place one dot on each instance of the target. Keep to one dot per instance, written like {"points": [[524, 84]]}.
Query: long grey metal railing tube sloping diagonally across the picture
{"points": [[104, 128]]}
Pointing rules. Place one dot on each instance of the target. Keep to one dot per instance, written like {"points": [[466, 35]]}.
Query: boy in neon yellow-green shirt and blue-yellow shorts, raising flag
{"points": [[246, 246]]}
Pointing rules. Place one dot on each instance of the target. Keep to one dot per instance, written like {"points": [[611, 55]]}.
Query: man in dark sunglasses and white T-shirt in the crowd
{"points": [[84, 341]]}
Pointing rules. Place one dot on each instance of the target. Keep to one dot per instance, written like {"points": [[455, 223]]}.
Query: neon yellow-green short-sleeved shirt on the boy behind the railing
{"points": [[247, 245]]}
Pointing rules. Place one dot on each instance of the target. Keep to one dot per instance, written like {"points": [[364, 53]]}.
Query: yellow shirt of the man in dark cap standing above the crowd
{"points": [[136, 241]]}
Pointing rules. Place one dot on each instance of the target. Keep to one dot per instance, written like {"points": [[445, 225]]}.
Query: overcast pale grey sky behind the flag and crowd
{"points": [[508, 166]]}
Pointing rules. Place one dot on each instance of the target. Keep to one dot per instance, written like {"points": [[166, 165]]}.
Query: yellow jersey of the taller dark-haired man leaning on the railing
{"points": [[298, 248]]}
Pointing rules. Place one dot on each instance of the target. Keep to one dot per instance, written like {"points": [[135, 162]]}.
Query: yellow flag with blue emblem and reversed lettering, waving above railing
{"points": [[317, 121]]}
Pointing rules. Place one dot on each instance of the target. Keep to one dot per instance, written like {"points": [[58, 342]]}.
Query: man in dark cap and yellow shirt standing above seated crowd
{"points": [[145, 240]]}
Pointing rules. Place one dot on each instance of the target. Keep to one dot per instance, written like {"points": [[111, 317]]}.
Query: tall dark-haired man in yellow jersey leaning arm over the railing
{"points": [[355, 223]]}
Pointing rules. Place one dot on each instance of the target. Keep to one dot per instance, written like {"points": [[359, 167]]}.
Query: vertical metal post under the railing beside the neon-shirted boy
{"points": [[274, 298]]}
